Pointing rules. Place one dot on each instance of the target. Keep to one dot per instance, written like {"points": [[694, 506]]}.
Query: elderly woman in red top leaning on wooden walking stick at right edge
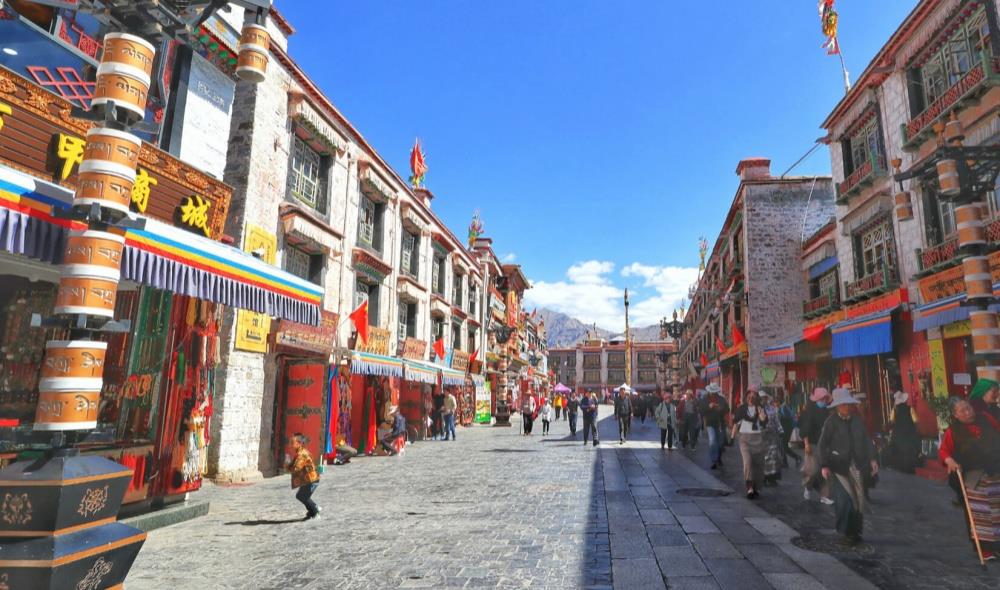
{"points": [[971, 446]]}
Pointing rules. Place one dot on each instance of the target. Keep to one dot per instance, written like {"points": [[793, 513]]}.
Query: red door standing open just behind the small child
{"points": [[304, 404]]}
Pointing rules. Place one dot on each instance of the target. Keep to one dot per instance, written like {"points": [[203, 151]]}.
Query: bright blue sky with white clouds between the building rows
{"points": [[598, 139]]}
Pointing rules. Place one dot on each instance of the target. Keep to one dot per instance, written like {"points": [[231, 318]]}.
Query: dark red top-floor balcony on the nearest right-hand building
{"points": [[978, 80]]}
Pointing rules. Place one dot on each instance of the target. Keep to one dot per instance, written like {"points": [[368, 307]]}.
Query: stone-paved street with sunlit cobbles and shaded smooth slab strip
{"points": [[494, 509]]}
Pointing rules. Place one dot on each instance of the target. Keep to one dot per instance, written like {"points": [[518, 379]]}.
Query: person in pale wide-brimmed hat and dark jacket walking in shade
{"points": [[848, 463]]}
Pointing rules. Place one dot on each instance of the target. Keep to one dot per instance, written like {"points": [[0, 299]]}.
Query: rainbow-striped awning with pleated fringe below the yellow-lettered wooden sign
{"points": [[160, 255]]}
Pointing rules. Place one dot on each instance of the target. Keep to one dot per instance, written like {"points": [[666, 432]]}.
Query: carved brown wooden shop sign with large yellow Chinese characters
{"points": [[39, 137]]}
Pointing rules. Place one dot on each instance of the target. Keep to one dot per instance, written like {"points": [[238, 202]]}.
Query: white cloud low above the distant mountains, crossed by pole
{"points": [[591, 295]]}
